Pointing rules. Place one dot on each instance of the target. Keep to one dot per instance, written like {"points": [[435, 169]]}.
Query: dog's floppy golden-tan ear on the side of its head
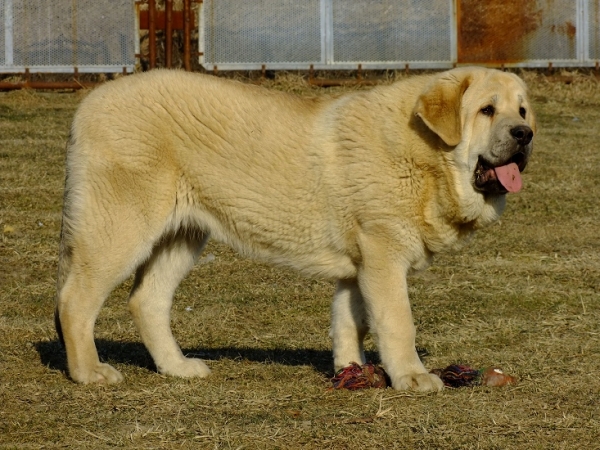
{"points": [[439, 105]]}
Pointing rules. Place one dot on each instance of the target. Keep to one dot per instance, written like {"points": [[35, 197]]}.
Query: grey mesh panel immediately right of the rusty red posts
{"points": [[261, 32]]}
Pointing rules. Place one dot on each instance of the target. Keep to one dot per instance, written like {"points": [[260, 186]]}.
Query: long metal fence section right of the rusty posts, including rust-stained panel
{"points": [[382, 34]]}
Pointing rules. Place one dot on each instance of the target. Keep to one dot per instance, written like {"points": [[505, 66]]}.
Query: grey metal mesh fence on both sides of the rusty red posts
{"points": [[102, 35]]}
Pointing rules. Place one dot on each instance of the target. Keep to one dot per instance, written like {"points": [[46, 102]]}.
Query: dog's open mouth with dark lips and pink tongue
{"points": [[500, 179]]}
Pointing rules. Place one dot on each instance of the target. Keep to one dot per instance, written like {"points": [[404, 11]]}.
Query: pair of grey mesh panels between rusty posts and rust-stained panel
{"points": [[323, 33]]}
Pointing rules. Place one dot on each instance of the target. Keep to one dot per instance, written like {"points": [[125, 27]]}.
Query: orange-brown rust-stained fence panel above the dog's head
{"points": [[514, 31]]}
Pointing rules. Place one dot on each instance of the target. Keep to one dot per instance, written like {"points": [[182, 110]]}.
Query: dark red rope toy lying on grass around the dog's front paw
{"points": [[356, 376]]}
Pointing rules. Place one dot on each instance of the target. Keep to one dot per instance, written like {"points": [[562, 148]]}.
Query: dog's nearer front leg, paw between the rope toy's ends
{"points": [[382, 281]]}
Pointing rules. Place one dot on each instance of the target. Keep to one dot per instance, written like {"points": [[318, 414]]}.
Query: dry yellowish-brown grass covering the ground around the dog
{"points": [[523, 295]]}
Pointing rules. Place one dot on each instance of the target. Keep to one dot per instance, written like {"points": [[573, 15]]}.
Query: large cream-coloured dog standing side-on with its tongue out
{"points": [[361, 188]]}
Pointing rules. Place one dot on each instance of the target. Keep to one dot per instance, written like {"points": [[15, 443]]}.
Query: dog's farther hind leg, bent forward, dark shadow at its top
{"points": [[151, 299]]}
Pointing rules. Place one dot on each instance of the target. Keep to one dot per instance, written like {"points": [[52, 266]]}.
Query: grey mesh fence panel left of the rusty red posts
{"points": [[59, 35]]}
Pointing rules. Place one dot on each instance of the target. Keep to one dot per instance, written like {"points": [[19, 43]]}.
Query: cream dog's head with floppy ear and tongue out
{"points": [[487, 116]]}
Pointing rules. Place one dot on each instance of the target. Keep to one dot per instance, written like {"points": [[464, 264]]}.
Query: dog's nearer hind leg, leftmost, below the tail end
{"points": [[91, 265]]}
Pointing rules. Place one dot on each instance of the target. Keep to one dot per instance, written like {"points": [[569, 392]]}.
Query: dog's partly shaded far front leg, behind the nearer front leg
{"points": [[348, 324]]}
